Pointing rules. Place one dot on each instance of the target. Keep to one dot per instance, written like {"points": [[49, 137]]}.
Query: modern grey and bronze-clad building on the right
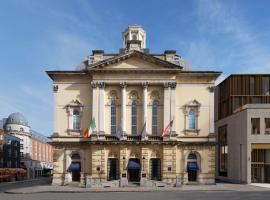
{"points": [[243, 128]]}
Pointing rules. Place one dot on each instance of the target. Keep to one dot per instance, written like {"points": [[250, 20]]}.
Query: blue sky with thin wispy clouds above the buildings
{"points": [[35, 36]]}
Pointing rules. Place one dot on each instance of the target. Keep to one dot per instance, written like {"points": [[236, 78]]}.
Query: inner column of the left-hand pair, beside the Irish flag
{"points": [[101, 106]]}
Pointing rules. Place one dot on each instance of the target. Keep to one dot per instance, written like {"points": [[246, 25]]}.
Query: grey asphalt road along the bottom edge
{"points": [[193, 195]]}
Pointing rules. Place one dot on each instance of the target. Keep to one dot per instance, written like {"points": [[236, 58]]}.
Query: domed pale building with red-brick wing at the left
{"points": [[35, 152]]}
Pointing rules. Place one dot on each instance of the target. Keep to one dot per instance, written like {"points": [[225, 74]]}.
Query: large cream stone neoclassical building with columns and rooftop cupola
{"points": [[131, 92]]}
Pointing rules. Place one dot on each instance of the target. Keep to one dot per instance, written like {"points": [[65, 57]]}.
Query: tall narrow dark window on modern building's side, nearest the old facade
{"points": [[222, 150]]}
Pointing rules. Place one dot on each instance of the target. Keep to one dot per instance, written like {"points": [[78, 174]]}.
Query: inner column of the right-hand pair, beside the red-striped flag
{"points": [[166, 106]]}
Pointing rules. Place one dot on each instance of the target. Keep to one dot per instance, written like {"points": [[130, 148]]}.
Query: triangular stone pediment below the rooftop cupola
{"points": [[134, 61]]}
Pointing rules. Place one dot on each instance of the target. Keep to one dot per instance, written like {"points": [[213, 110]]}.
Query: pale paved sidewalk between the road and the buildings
{"points": [[69, 189]]}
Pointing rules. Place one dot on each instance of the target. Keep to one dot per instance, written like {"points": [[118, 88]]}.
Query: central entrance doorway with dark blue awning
{"points": [[134, 169]]}
